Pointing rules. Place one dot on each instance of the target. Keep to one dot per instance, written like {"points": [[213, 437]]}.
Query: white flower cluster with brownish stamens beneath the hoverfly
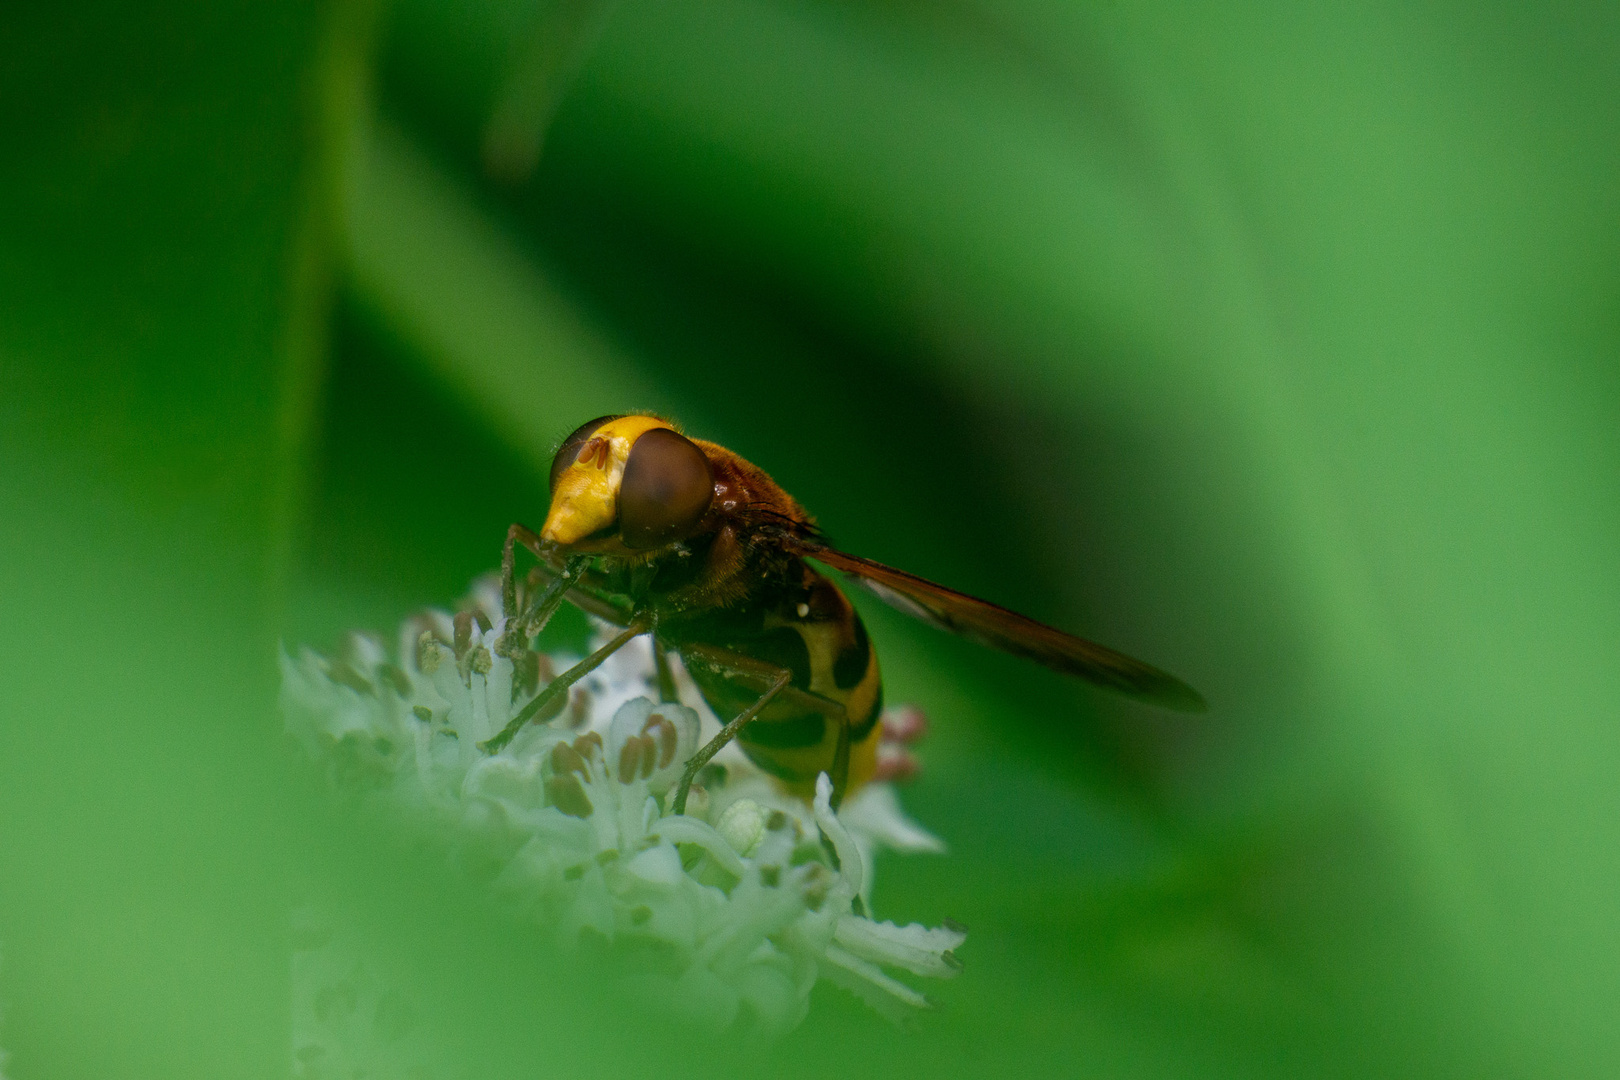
{"points": [[730, 914]]}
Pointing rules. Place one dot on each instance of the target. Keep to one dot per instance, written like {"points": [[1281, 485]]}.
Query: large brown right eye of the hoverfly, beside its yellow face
{"points": [[667, 490]]}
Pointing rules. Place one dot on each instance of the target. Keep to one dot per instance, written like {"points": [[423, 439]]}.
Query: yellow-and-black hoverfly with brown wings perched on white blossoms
{"points": [[693, 545]]}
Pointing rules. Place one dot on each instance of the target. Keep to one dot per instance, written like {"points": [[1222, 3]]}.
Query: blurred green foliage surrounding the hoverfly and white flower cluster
{"points": [[1274, 344]]}
